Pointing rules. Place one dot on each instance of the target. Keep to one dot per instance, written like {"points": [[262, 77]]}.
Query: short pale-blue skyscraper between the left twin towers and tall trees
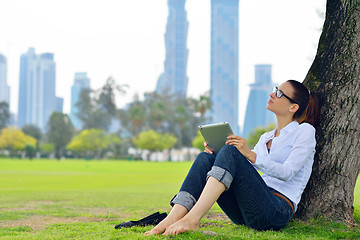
{"points": [[81, 81]]}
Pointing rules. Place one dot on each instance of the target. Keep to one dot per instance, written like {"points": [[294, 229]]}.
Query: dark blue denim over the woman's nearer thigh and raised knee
{"points": [[259, 208]]}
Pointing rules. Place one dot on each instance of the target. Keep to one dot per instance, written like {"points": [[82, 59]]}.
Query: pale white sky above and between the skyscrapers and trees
{"points": [[125, 39]]}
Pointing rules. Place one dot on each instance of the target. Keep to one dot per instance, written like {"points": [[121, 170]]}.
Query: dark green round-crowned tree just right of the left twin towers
{"points": [[59, 132]]}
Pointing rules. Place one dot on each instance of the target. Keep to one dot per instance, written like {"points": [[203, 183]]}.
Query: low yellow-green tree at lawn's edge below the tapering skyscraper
{"points": [[154, 141]]}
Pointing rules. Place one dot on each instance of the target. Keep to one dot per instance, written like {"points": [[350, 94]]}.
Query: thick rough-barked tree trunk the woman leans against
{"points": [[335, 74]]}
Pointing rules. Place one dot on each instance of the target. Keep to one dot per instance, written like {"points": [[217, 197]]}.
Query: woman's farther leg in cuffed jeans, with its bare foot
{"points": [[189, 192]]}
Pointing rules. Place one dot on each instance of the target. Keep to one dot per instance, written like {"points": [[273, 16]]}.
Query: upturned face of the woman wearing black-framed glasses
{"points": [[282, 106]]}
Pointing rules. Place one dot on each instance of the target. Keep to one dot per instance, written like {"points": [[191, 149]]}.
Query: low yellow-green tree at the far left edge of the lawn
{"points": [[14, 139]]}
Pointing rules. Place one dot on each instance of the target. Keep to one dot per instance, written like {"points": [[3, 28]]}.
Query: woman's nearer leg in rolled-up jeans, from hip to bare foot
{"points": [[247, 200]]}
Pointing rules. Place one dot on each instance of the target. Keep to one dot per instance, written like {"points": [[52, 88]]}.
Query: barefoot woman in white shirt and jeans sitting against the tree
{"points": [[284, 155]]}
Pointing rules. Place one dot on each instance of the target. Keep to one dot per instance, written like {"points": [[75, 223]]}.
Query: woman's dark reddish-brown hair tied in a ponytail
{"points": [[309, 104]]}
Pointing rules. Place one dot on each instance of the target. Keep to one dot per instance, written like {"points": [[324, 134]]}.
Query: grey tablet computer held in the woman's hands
{"points": [[216, 134]]}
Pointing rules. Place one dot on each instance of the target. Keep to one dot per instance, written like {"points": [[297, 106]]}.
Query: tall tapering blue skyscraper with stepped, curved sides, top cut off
{"points": [[173, 80]]}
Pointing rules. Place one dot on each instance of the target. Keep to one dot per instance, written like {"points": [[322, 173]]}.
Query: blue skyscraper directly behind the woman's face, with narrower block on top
{"points": [[256, 113]]}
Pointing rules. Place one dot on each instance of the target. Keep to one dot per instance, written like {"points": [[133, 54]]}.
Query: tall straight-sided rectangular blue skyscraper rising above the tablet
{"points": [[224, 62]]}
